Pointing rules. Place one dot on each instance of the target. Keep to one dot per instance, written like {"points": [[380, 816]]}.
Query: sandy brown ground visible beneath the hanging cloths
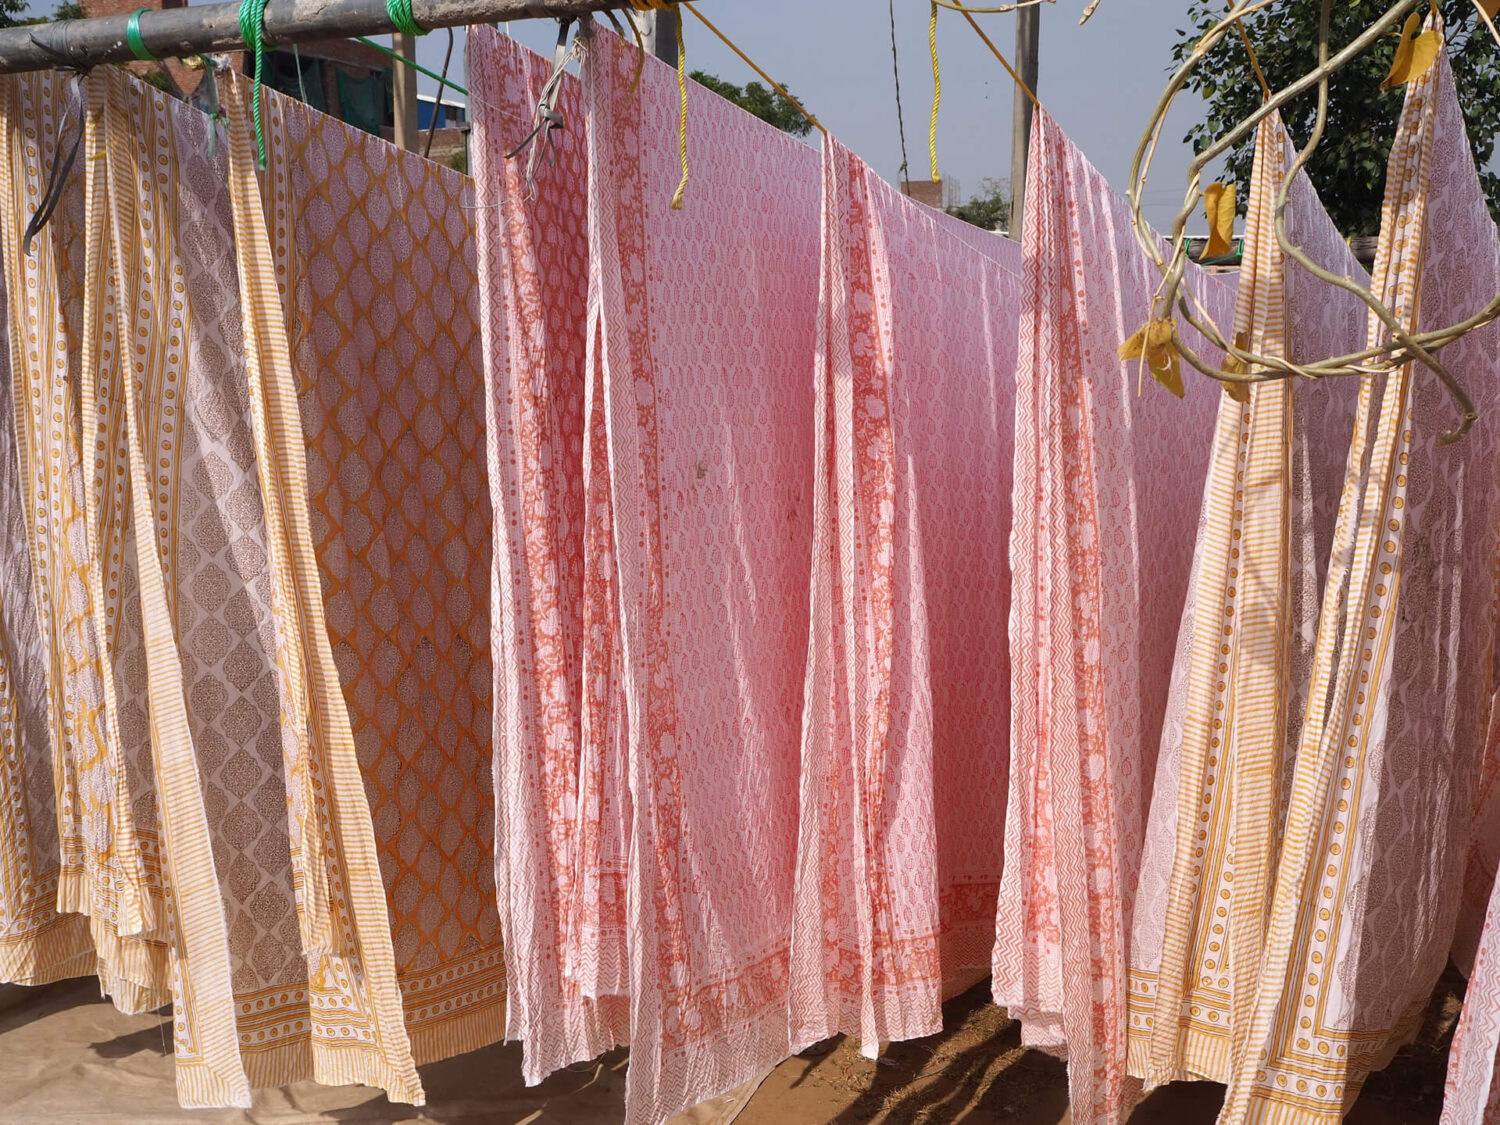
{"points": [[67, 1057]]}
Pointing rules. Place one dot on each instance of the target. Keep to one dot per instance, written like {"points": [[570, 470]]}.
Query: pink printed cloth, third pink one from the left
{"points": [[908, 697]]}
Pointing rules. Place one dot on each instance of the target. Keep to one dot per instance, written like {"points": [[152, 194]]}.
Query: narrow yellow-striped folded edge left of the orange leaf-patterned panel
{"points": [[355, 1006]]}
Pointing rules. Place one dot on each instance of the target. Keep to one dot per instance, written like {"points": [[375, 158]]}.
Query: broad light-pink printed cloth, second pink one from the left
{"points": [[707, 326]]}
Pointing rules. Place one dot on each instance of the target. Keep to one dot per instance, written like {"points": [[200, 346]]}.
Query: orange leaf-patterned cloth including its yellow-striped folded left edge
{"points": [[362, 308]]}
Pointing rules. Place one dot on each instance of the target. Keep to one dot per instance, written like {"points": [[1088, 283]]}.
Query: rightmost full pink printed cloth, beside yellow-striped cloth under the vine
{"points": [[1106, 496]]}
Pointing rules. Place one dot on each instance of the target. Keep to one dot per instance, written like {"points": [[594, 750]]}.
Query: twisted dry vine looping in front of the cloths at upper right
{"points": [[1246, 367]]}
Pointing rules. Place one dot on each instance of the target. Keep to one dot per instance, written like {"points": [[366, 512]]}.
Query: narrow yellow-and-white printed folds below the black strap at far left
{"points": [[110, 860]]}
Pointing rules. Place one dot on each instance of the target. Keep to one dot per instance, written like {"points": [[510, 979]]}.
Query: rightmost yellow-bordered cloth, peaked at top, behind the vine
{"points": [[1369, 878]]}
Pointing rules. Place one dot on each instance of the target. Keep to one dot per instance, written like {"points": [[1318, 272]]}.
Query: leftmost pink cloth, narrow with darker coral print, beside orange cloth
{"points": [[551, 583]]}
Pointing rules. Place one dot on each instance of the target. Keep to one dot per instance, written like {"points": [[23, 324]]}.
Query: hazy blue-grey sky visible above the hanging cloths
{"points": [[1100, 82]]}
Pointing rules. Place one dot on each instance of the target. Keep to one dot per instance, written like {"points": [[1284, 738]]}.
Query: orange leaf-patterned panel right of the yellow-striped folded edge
{"points": [[376, 257]]}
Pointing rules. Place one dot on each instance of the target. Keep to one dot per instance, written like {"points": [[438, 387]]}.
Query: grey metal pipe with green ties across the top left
{"points": [[208, 29]]}
